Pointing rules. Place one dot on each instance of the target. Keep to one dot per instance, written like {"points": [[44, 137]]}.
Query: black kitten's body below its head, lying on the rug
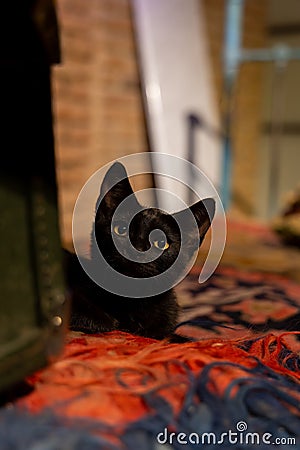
{"points": [[95, 310]]}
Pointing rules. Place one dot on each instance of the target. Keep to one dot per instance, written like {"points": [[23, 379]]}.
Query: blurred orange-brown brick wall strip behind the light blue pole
{"points": [[248, 97]]}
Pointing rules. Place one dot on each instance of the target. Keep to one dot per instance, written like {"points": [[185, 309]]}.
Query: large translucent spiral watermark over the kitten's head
{"points": [[187, 181]]}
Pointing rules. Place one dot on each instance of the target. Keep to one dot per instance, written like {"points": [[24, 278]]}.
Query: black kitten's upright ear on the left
{"points": [[115, 187]]}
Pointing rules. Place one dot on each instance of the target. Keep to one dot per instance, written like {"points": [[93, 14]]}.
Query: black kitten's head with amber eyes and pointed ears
{"points": [[144, 242]]}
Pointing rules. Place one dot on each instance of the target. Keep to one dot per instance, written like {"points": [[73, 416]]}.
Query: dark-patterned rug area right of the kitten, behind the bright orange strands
{"points": [[235, 304]]}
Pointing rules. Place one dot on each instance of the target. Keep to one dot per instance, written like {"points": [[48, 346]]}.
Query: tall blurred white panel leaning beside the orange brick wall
{"points": [[177, 80]]}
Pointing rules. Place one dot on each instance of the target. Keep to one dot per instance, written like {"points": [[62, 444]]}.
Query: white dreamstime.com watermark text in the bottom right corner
{"points": [[240, 436]]}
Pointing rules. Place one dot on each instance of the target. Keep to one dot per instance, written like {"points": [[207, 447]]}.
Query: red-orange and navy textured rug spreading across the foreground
{"points": [[236, 386]]}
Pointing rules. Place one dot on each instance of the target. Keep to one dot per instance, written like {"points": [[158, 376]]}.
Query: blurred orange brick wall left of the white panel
{"points": [[97, 98]]}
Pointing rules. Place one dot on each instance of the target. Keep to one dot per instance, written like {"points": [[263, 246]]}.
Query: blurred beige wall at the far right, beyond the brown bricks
{"points": [[281, 106]]}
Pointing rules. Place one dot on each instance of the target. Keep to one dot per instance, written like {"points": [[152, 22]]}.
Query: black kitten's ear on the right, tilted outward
{"points": [[203, 211]]}
